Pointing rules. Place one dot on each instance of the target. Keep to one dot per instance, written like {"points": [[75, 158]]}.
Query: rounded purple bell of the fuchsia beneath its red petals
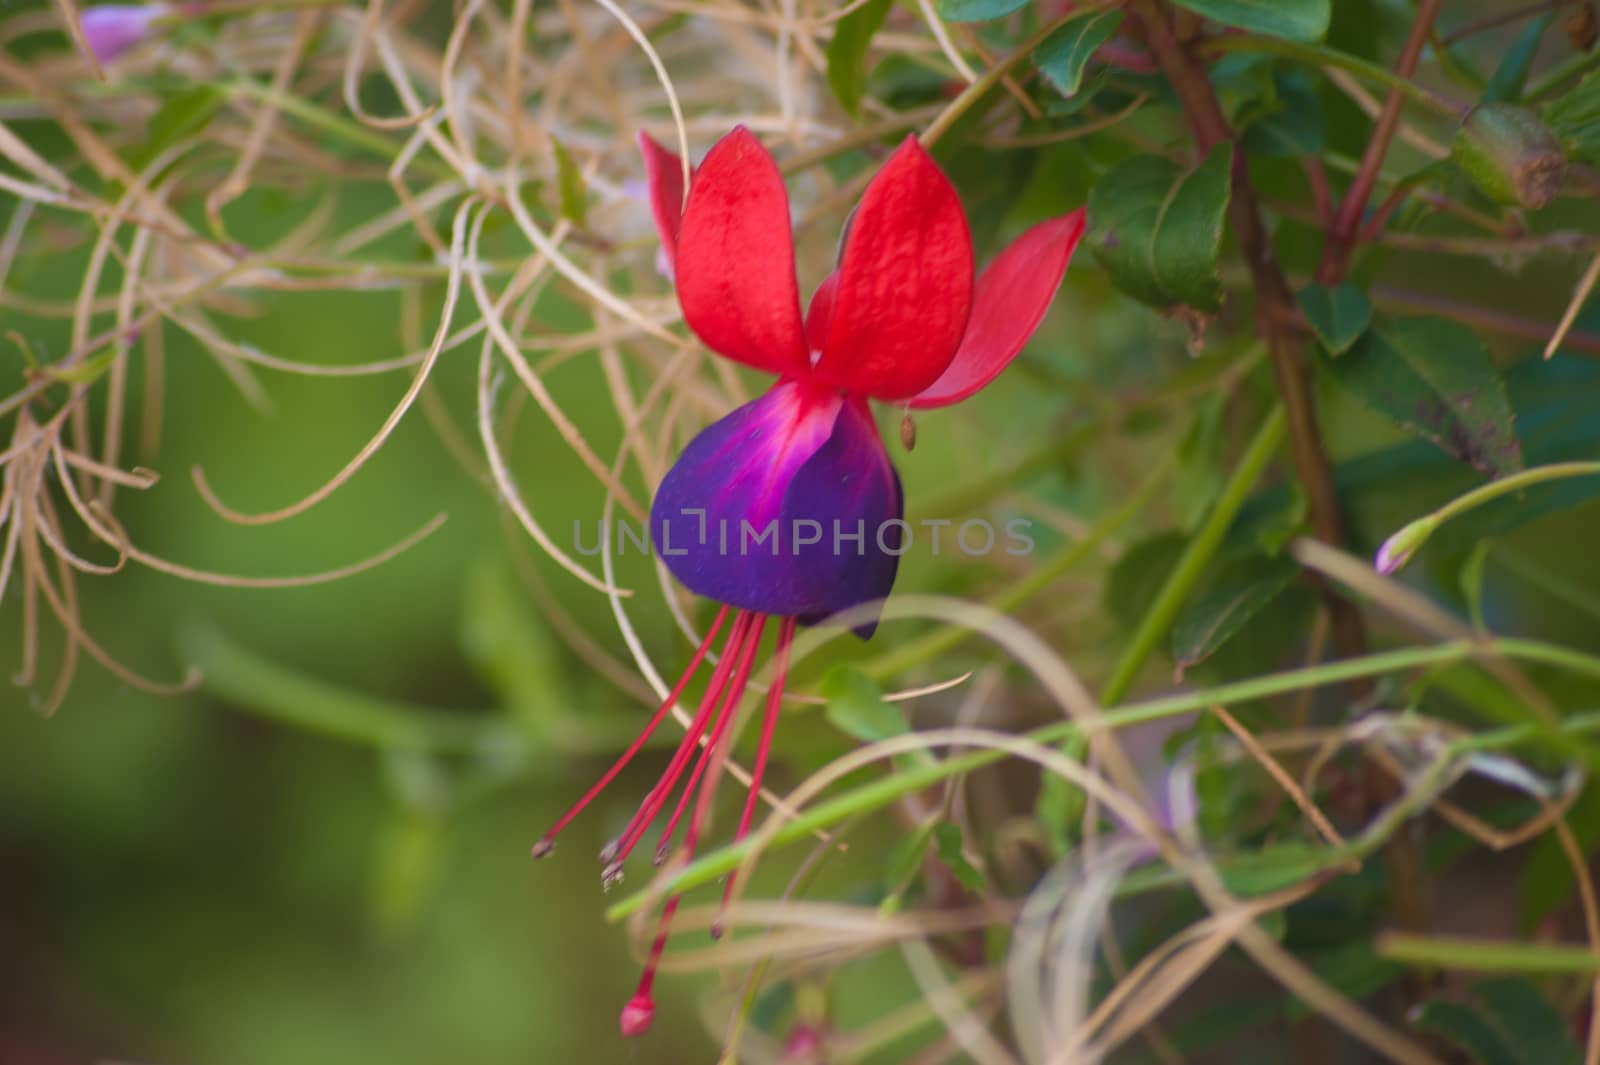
{"points": [[790, 506]]}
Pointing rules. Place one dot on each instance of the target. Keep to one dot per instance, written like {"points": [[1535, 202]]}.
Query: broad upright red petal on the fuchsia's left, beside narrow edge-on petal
{"points": [[737, 263]]}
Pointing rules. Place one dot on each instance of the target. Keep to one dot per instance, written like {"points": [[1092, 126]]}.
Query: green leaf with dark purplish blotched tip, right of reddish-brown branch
{"points": [[1436, 380]]}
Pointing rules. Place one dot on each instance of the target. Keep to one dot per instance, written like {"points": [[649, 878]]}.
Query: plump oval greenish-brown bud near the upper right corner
{"points": [[1510, 156]]}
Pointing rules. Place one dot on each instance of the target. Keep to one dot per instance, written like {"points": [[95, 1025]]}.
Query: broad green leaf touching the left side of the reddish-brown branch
{"points": [[1158, 229]]}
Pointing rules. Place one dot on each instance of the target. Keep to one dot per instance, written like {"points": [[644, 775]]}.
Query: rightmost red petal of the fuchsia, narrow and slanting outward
{"points": [[1012, 300]]}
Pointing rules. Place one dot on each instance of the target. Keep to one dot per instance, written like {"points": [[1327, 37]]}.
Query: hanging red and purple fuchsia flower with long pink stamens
{"points": [[790, 508]]}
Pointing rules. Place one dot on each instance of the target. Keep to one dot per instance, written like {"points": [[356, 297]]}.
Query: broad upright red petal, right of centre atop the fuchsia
{"points": [[905, 284]]}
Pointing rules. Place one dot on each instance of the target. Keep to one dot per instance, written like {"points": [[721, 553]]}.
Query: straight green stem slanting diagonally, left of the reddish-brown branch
{"points": [[1198, 554]]}
